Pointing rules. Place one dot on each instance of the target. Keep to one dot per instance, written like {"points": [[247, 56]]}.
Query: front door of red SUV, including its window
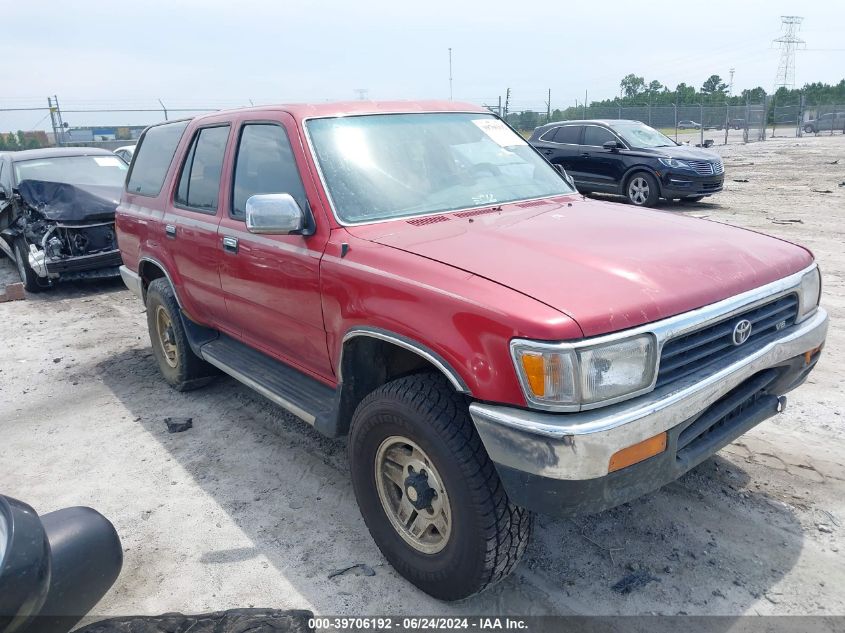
{"points": [[271, 283]]}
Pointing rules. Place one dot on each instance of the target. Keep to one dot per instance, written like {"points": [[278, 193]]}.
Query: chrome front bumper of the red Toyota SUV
{"points": [[578, 446]]}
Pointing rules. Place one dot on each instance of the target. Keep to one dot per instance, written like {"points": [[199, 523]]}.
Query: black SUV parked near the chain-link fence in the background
{"points": [[630, 159]]}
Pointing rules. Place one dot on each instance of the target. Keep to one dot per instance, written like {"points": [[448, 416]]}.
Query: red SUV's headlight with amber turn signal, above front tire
{"points": [[558, 376]]}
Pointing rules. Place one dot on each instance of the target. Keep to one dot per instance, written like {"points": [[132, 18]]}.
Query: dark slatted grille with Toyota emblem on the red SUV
{"points": [[688, 353]]}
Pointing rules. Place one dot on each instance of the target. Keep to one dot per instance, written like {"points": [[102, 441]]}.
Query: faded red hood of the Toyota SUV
{"points": [[606, 265]]}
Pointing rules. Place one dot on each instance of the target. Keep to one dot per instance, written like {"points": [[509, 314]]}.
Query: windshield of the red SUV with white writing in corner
{"points": [[395, 165]]}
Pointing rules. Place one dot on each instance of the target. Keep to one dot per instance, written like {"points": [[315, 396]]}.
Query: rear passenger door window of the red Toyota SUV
{"points": [[199, 182]]}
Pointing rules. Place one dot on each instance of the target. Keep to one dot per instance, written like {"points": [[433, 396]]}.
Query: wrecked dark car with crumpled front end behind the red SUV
{"points": [[57, 213]]}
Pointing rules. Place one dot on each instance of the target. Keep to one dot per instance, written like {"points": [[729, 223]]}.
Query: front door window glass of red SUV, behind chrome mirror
{"points": [[264, 164]]}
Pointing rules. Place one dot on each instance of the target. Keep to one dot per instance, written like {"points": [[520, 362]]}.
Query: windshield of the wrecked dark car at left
{"points": [[107, 171]]}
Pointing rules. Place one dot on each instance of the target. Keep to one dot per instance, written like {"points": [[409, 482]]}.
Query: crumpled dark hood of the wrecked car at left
{"points": [[70, 203]]}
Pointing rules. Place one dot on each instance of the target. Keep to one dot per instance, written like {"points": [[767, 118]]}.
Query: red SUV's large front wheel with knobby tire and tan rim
{"points": [[485, 535]]}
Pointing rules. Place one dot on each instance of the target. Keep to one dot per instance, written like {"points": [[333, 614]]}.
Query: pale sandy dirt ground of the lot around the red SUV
{"points": [[253, 508]]}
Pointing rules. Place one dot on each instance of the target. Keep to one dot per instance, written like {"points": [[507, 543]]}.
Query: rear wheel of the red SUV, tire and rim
{"points": [[182, 369]]}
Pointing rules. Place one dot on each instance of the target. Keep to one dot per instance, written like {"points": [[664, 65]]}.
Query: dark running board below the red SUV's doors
{"points": [[303, 396]]}
